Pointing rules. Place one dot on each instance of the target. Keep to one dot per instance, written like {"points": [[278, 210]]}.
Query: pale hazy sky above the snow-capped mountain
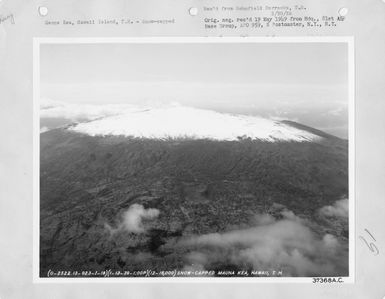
{"points": [[306, 82]]}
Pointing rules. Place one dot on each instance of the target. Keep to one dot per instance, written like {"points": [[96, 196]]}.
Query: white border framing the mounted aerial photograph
{"points": [[37, 42]]}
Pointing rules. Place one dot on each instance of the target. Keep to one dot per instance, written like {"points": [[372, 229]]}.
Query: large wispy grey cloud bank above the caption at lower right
{"points": [[287, 244]]}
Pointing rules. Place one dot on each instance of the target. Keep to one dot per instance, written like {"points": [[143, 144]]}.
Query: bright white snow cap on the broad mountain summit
{"points": [[193, 123]]}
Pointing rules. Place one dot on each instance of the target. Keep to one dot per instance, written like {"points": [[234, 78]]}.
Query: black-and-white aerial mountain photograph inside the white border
{"points": [[193, 159]]}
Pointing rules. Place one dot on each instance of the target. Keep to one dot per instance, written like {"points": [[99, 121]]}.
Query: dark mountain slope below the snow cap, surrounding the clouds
{"points": [[198, 186]]}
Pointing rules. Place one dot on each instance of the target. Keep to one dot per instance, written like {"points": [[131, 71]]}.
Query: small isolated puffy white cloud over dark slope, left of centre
{"points": [[132, 219]]}
